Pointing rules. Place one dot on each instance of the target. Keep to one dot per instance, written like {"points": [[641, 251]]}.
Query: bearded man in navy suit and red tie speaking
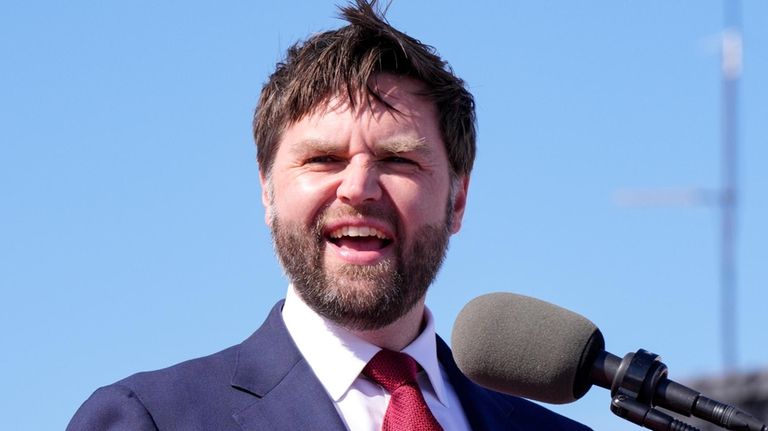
{"points": [[365, 143]]}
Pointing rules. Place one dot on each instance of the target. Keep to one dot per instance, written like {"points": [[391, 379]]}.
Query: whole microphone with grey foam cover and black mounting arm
{"points": [[530, 348]]}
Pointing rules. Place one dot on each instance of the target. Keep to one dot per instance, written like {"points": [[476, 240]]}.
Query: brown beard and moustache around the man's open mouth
{"points": [[361, 297]]}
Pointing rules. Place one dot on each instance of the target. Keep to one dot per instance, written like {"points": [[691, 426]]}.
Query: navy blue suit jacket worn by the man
{"points": [[265, 384]]}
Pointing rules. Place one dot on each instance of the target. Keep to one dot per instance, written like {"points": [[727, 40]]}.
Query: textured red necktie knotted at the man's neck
{"points": [[396, 373]]}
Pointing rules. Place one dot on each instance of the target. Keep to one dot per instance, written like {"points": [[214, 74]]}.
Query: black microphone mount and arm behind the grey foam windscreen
{"points": [[639, 382]]}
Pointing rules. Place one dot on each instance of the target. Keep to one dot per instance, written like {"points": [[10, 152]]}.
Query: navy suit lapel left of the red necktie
{"points": [[289, 395]]}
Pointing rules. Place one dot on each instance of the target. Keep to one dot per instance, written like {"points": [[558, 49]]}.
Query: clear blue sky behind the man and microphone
{"points": [[131, 229]]}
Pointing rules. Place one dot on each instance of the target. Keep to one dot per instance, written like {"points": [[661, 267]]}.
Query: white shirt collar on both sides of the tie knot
{"points": [[337, 356]]}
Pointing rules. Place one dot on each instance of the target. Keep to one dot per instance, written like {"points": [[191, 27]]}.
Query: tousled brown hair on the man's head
{"points": [[344, 60]]}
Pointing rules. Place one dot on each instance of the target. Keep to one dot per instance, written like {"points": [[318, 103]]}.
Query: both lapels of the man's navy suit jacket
{"points": [[289, 395]]}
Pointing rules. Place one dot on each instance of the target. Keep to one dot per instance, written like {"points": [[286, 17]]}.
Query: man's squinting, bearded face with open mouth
{"points": [[361, 205]]}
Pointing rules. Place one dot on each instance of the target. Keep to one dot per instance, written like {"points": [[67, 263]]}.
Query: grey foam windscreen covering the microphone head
{"points": [[526, 347]]}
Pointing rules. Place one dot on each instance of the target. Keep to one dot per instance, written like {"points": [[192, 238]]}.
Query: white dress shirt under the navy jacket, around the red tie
{"points": [[338, 357]]}
